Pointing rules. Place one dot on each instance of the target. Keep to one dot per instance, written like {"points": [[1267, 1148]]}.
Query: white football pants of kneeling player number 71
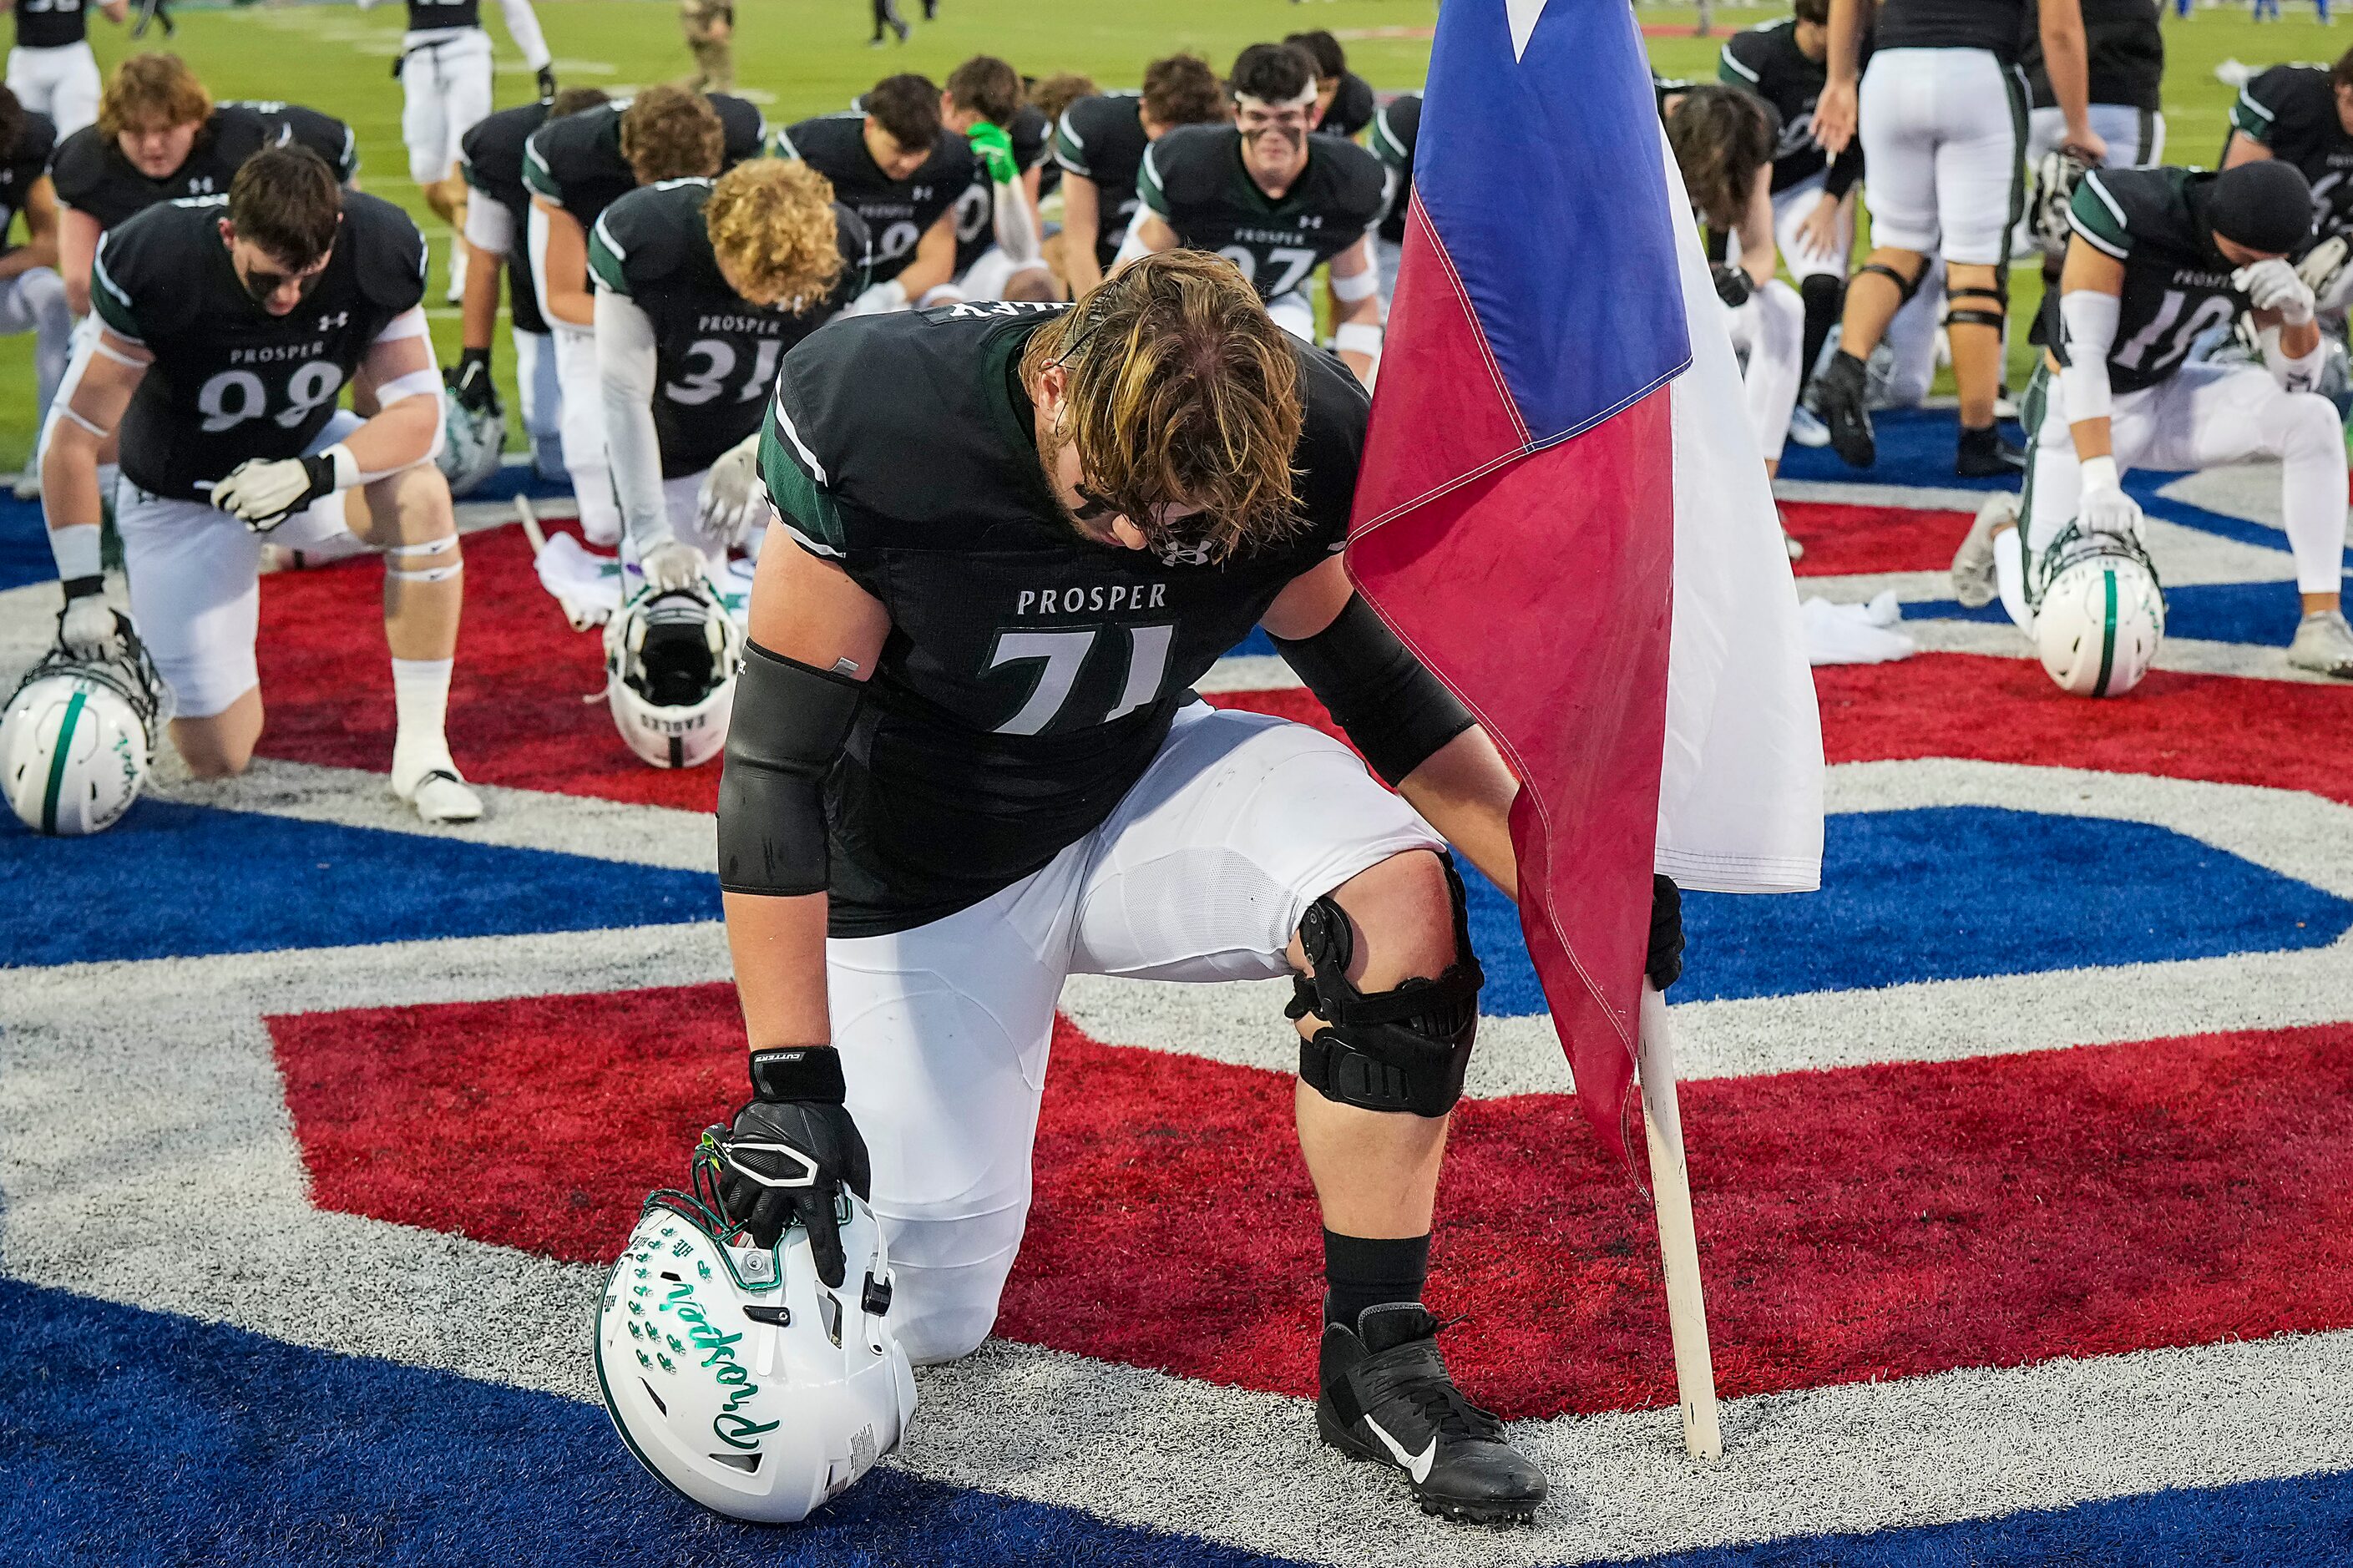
{"points": [[1201, 875]]}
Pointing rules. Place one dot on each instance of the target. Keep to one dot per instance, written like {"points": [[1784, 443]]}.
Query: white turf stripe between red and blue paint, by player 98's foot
{"points": [[516, 818]]}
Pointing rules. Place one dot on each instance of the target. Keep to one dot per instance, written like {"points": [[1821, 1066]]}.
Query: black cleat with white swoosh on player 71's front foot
{"points": [[1387, 1400]]}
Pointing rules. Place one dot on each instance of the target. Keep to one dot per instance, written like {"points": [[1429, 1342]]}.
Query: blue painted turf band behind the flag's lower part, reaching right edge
{"points": [[1907, 898]]}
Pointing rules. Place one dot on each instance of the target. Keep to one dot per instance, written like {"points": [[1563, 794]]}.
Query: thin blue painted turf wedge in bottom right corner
{"points": [[2305, 1522]]}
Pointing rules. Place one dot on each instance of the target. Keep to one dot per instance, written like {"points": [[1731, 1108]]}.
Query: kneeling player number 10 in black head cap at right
{"points": [[2159, 260]]}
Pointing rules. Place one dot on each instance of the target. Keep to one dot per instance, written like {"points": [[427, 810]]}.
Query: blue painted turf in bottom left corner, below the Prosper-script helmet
{"points": [[138, 1437]]}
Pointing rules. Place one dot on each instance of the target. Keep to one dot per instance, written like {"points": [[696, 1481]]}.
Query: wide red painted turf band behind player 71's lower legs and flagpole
{"points": [[1867, 1223]]}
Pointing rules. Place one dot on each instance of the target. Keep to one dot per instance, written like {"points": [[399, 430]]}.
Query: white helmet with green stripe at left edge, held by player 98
{"points": [[76, 738]]}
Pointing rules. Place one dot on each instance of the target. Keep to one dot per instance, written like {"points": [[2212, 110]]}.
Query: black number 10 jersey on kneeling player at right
{"points": [[2178, 286]]}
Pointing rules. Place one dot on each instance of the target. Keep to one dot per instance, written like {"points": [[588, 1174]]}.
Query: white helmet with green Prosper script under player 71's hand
{"points": [[735, 1374]]}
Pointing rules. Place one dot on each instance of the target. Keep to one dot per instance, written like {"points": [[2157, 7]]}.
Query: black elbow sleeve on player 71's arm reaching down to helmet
{"points": [[787, 729]]}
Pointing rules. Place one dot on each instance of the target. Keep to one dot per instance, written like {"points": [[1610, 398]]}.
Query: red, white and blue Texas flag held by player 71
{"points": [[1566, 517]]}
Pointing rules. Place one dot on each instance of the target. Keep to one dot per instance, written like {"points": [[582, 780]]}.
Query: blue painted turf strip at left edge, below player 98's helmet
{"points": [[180, 882]]}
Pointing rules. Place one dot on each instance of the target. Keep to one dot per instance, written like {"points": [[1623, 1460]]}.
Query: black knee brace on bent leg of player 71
{"points": [[1394, 1051]]}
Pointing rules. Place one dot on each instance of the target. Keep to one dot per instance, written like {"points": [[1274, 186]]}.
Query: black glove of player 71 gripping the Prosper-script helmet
{"points": [[792, 1152]]}
